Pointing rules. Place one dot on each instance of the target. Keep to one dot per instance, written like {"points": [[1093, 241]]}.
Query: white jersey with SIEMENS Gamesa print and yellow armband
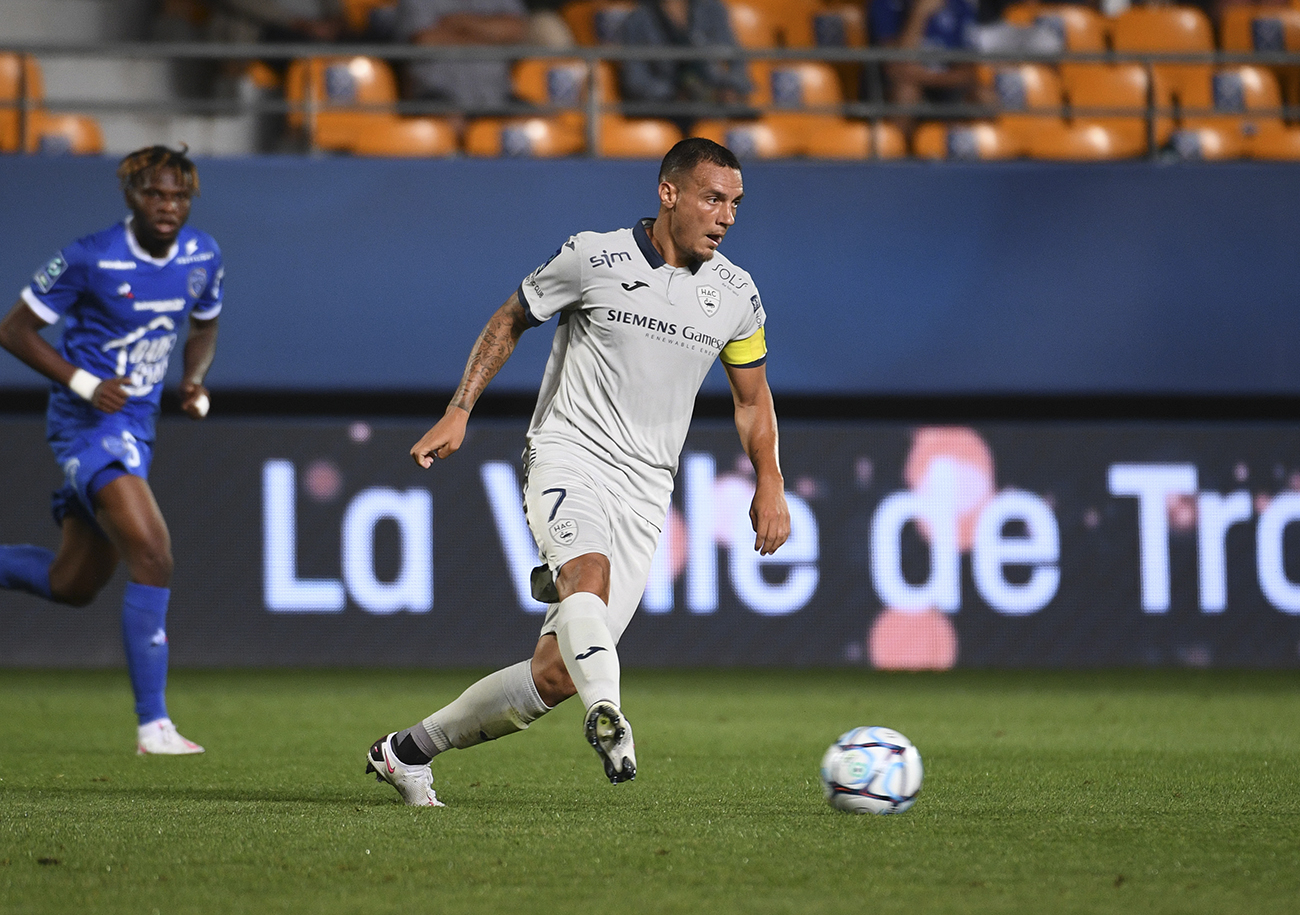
{"points": [[635, 341]]}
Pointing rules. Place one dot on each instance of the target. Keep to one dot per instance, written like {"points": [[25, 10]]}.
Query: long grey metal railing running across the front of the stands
{"points": [[872, 109]]}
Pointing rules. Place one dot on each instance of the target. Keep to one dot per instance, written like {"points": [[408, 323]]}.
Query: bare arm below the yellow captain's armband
{"points": [[756, 422]]}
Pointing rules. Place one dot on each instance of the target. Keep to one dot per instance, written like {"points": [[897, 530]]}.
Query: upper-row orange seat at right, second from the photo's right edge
{"points": [[1168, 31]]}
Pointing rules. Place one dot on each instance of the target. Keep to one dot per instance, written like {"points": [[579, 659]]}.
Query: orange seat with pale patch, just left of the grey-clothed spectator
{"points": [[339, 101]]}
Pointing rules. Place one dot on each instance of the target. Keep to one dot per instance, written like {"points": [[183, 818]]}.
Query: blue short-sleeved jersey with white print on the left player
{"points": [[123, 311]]}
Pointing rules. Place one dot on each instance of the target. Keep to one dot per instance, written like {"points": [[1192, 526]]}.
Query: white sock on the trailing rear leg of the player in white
{"points": [[501, 704]]}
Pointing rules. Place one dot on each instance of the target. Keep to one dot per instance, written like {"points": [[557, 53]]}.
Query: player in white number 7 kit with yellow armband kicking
{"points": [[643, 315]]}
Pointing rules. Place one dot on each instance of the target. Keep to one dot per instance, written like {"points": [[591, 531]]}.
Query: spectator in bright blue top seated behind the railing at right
{"points": [[928, 24]]}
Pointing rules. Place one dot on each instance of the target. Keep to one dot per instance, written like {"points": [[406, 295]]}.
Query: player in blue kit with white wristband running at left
{"points": [[123, 294]]}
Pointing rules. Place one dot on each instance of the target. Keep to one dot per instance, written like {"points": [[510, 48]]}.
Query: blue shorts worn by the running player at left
{"points": [[92, 458]]}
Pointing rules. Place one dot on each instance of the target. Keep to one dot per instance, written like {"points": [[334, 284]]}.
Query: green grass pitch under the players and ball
{"points": [[1065, 792]]}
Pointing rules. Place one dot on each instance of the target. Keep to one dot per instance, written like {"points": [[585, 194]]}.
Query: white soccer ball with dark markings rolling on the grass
{"points": [[872, 771]]}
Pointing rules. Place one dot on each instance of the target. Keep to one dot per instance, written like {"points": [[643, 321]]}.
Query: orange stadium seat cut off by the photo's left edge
{"points": [[45, 133]]}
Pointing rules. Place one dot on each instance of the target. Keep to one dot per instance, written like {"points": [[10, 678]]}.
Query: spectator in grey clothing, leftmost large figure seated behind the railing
{"points": [[473, 86]]}
